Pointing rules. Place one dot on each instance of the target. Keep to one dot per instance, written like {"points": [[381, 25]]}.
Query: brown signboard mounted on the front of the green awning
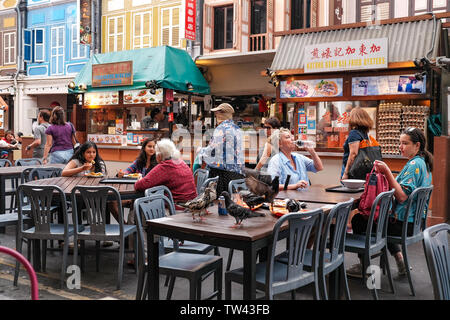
{"points": [[112, 74]]}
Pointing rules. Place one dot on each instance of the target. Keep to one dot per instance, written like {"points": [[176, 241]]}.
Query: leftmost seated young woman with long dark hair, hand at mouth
{"points": [[85, 159]]}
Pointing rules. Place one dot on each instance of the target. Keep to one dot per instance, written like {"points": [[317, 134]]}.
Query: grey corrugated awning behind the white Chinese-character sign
{"points": [[406, 41]]}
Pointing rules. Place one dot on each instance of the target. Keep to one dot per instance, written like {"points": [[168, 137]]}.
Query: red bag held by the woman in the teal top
{"points": [[375, 184]]}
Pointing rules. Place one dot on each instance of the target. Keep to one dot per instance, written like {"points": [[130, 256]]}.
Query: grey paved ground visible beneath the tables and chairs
{"points": [[101, 285]]}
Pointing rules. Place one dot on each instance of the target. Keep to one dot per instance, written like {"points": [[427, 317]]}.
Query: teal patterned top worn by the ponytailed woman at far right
{"points": [[413, 175]]}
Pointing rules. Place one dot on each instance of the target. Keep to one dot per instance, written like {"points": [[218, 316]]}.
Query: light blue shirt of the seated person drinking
{"points": [[281, 166]]}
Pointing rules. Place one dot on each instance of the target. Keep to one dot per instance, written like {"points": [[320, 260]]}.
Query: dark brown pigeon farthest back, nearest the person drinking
{"points": [[262, 184]]}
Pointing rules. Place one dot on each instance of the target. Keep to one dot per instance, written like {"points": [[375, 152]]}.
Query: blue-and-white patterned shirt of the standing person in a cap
{"points": [[225, 150]]}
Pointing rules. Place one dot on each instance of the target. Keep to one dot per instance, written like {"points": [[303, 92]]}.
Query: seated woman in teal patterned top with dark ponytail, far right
{"points": [[416, 173]]}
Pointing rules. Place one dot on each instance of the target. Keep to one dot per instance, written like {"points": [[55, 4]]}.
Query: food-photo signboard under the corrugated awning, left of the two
{"points": [[311, 88]]}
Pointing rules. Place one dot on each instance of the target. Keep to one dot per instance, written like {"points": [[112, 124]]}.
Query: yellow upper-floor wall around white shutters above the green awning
{"points": [[128, 10]]}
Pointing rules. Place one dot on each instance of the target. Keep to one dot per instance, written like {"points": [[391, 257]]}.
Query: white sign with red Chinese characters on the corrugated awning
{"points": [[349, 55]]}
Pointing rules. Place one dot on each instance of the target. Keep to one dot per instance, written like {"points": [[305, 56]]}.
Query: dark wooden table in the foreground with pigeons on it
{"points": [[253, 235]]}
